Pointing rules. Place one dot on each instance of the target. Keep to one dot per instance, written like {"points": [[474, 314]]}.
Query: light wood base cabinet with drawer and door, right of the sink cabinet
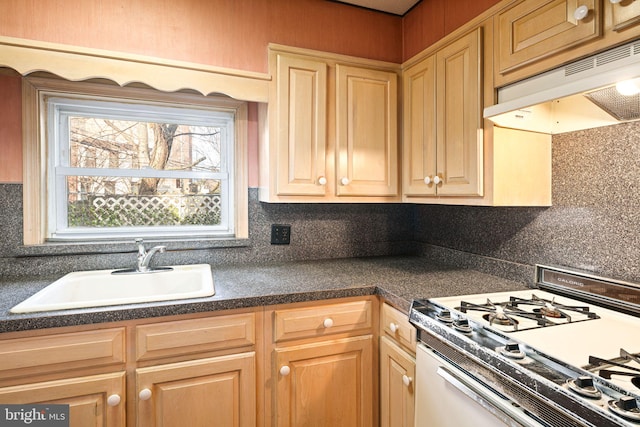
{"points": [[323, 364]]}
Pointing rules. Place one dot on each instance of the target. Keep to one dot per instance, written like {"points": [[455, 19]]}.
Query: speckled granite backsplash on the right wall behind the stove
{"points": [[594, 223]]}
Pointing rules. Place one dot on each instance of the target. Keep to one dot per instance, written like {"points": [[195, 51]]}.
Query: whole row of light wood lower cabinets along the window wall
{"points": [[308, 364]]}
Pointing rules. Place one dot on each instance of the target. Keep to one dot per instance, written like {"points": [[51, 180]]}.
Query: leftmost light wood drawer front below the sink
{"points": [[60, 352]]}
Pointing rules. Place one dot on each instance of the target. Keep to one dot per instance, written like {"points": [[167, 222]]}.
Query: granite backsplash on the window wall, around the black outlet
{"points": [[318, 231]]}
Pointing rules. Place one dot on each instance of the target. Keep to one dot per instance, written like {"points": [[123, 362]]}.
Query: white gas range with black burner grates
{"points": [[560, 361]]}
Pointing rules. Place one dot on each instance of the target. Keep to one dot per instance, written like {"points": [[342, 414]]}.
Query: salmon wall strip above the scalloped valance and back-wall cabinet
{"points": [[227, 33]]}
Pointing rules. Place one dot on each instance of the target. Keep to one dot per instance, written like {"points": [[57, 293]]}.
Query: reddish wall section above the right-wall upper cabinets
{"points": [[431, 20]]}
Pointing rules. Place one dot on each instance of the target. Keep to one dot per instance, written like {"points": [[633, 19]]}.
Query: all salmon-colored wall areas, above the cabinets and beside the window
{"points": [[225, 33]]}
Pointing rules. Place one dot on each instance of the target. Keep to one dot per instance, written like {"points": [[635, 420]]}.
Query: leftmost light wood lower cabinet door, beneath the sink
{"points": [[94, 401]]}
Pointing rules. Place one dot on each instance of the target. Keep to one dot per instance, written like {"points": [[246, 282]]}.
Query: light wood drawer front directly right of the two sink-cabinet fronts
{"points": [[322, 320]]}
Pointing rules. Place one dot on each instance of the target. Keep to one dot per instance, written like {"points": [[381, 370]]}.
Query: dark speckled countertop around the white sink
{"points": [[396, 279]]}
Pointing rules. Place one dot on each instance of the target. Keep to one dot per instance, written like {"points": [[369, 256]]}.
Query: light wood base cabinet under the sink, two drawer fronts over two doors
{"points": [[182, 371]]}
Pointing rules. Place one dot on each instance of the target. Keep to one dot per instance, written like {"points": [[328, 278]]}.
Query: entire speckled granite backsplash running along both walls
{"points": [[594, 224]]}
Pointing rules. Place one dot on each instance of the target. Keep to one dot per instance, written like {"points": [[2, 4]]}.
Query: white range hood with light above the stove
{"points": [[579, 95]]}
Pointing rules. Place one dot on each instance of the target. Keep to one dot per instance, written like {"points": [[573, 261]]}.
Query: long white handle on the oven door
{"points": [[496, 403]]}
